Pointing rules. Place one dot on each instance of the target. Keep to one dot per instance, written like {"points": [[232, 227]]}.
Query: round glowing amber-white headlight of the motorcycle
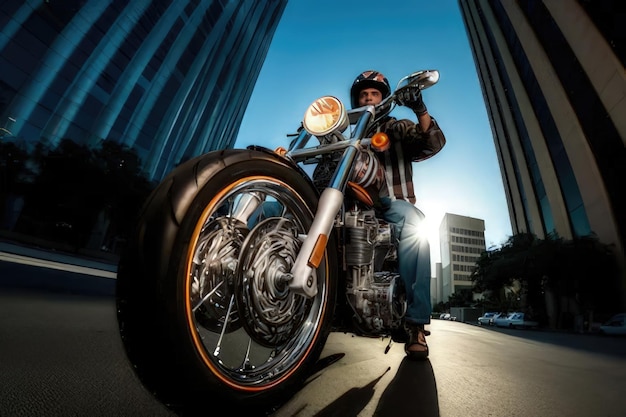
{"points": [[325, 115]]}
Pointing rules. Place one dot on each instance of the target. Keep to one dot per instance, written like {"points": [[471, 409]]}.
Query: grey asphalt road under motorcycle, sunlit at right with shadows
{"points": [[61, 355]]}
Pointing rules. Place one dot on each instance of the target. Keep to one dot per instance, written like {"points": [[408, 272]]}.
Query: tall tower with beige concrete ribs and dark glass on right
{"points": [[552, 74]]}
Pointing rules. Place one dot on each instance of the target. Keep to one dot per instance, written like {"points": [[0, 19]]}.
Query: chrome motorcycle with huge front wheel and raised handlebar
{"points": [[243, 262]]}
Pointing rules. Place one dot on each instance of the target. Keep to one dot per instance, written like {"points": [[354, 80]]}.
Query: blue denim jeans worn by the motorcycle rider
{"points": [[413, 257]]}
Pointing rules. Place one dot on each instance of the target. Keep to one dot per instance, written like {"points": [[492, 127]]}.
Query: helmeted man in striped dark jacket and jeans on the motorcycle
{"points": [[410, 142]]}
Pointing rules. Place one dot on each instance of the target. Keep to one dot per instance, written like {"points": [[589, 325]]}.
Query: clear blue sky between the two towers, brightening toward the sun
{"points": [[320, 46]]}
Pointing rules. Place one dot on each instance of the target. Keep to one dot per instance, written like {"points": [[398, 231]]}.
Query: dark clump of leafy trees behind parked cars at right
{"points": [[568, 270]]}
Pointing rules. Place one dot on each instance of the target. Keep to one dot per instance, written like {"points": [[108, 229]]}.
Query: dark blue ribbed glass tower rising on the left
{"points": [[167, 80]]}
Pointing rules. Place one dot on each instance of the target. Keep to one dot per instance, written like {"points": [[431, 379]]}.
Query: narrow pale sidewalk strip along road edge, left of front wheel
{"points": [[11, 252]]}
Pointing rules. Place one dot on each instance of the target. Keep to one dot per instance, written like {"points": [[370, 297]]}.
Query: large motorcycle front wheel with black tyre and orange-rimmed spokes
{"points": [[205, 312]]}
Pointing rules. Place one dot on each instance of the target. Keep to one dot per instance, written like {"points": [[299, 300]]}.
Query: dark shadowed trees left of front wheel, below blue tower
{"points": [[76, 188]]}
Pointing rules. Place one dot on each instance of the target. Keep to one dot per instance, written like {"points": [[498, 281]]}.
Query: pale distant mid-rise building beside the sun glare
{"points": [[461, 242]]}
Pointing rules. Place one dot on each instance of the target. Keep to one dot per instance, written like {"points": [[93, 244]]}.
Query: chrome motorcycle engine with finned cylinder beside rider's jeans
{"points": [[376, 296]]}
